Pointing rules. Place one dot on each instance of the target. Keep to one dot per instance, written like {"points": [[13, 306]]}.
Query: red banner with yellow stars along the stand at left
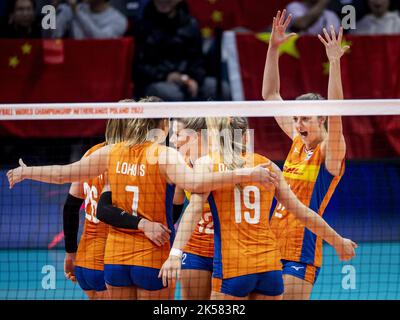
{"points": [[40, 71]]}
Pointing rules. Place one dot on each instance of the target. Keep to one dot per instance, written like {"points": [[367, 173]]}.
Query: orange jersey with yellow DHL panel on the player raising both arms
{"points": [[313, 185]]}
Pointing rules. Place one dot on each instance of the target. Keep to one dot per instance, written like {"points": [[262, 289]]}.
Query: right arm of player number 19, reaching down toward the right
{"points": [[344, 247]]}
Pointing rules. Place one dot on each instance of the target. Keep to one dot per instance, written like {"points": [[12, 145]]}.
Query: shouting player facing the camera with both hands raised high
{"points": [[313, 168]]}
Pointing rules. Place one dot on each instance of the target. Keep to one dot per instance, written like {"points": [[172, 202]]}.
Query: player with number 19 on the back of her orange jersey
{"points": [[246, 258]]}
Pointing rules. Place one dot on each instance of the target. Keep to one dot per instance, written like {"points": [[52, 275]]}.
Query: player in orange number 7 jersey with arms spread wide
{"points": [[141, 175]]}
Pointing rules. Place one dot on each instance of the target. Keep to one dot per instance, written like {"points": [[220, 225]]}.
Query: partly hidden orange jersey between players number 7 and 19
{"points": [[201, 242]]}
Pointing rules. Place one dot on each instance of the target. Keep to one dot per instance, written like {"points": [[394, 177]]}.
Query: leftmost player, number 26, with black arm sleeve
{"points": [[85, 263]]}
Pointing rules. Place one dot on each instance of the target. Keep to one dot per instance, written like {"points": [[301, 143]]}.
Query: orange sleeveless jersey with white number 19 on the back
{"points": [[244, 242]]}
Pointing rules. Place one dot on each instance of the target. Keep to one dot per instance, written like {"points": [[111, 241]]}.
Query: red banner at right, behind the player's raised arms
{"points": [[371, 70]]}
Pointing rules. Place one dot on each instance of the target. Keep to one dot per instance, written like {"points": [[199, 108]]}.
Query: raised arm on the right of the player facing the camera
{"points": [[334, 146]]}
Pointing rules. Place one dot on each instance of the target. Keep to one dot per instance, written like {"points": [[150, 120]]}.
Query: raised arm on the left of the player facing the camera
{"points": [[271, 79]]}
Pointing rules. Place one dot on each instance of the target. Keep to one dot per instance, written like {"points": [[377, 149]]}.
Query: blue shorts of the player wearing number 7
{"points": [[132, 276]]}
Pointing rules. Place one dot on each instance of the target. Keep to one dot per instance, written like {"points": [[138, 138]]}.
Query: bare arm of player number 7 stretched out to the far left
{"points": [[84, 169]]}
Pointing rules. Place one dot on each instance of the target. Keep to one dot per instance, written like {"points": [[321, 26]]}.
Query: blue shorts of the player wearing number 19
{"points": [[266, 283]]}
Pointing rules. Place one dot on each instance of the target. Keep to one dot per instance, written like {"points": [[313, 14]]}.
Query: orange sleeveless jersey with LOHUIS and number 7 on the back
{"points": [[139, 188]]}
